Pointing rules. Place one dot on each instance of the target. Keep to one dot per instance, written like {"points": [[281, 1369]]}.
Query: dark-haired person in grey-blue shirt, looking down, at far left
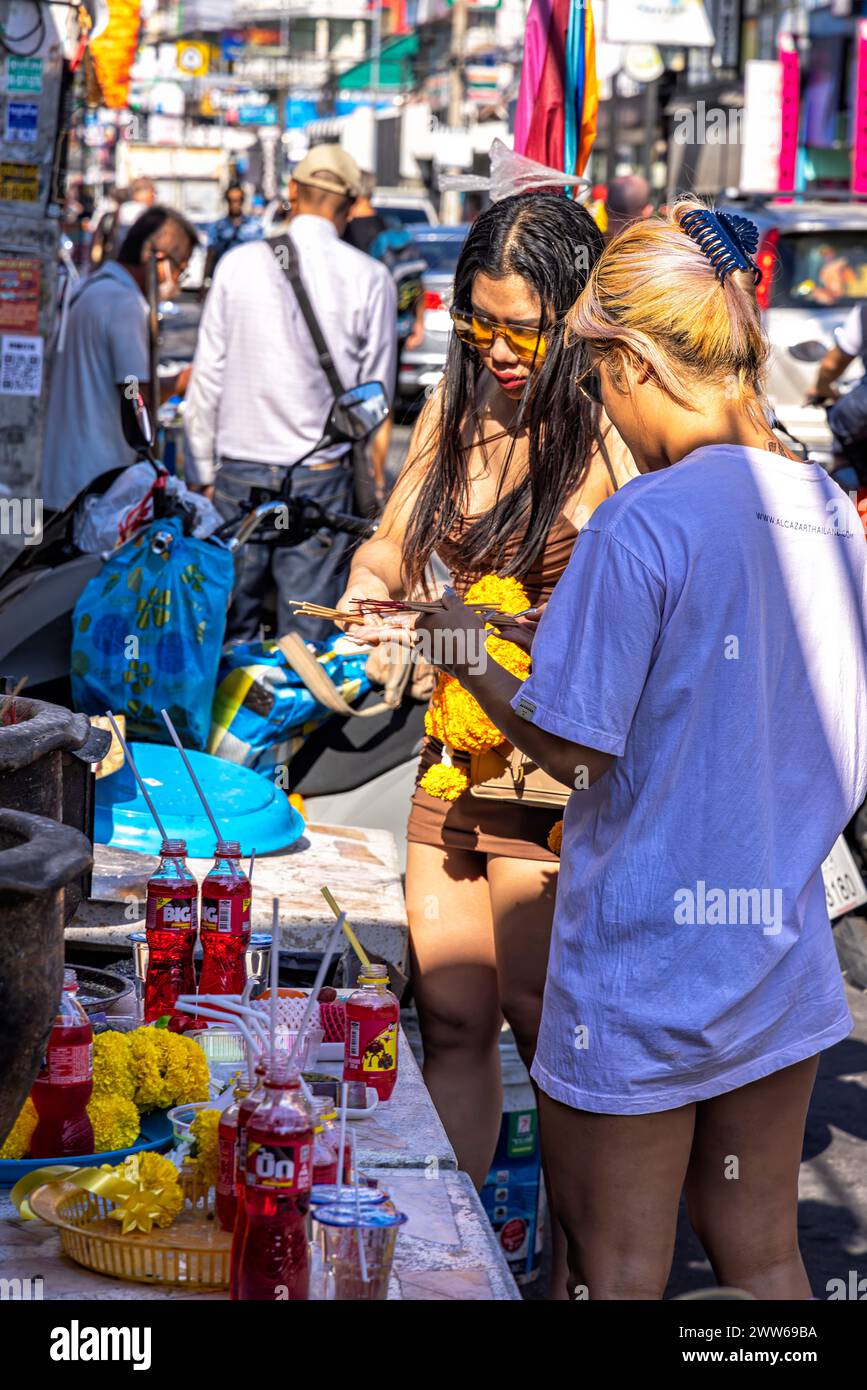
{"points": [[106, 350]]}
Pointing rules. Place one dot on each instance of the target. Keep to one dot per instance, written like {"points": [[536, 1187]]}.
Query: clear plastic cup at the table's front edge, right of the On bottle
{"points": [[342, 1228]]}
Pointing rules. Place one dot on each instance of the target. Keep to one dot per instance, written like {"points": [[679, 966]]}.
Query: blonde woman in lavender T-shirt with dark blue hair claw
{"points": [[704, 661]]}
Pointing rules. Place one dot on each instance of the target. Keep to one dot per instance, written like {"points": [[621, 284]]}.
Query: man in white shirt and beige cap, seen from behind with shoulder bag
{"points": [[261, 400]]}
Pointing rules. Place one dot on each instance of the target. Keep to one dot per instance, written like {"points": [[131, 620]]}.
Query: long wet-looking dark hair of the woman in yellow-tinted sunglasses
{"points": [[552, 243]]}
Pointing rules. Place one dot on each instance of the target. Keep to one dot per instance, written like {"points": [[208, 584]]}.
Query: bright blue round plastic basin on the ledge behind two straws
{"points": [[248, 806]]}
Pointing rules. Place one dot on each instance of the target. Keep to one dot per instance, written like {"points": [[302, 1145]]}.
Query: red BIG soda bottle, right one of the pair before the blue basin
{"points": [[226, 924]]}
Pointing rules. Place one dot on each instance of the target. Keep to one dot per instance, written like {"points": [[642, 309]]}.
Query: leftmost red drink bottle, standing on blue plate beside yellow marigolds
{"points": [[63, 1088]]}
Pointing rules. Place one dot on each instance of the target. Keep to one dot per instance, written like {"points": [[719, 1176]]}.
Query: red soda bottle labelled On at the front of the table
{"points": [[272, 1254]]}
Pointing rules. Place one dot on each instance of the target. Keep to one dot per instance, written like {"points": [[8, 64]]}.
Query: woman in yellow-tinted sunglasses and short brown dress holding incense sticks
{"points": [[505, 465]]}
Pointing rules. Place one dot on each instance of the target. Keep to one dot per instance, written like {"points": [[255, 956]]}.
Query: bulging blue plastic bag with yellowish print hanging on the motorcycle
{"points": [[148, 633]]}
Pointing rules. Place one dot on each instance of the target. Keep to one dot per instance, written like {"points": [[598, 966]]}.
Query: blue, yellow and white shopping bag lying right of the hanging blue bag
{"points": [[263, 711]]}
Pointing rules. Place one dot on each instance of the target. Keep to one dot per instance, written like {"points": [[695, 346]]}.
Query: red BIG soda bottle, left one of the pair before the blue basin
{"points": [[170, 926]]}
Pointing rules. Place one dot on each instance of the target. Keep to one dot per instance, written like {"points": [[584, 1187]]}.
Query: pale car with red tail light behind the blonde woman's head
{"points": [[814, 258]]}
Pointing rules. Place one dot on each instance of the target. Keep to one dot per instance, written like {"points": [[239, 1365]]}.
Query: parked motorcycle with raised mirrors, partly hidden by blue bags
{"points": [[349, 771]]}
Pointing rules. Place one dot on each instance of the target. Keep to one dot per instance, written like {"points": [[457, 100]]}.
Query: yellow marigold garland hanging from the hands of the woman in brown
{"points": [[455, 717]]}
